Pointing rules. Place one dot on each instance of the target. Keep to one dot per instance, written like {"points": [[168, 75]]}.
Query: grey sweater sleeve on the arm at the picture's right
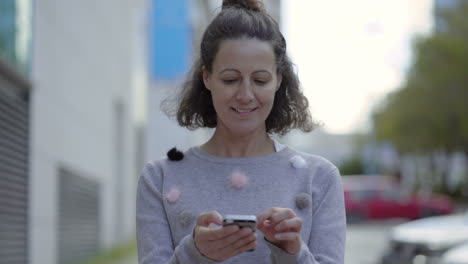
{"points": [[328, 232]]}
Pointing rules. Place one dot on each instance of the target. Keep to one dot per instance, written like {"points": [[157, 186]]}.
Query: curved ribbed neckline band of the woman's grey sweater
{"points": [[200, 153]]}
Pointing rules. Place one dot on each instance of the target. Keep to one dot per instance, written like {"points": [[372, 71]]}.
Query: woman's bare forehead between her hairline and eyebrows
{"points": [[245, 54]]}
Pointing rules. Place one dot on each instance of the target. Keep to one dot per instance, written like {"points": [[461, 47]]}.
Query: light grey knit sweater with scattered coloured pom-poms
{"points": [[171, 194]]}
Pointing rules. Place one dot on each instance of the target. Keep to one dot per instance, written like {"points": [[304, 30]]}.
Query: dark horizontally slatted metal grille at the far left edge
{"points": [[14, 130]]}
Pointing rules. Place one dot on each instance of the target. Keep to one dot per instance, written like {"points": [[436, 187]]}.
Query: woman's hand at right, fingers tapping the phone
{"points": [[281, 227]]}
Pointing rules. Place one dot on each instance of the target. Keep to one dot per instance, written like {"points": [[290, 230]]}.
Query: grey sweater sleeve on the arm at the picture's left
{"points": [[154, 240]]}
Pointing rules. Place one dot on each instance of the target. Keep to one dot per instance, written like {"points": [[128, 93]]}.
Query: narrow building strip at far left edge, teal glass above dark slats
{"points": [[14, 132]]}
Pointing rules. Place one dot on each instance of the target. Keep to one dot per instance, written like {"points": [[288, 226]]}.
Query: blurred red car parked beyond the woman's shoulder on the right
{"points": [[381, 197]]}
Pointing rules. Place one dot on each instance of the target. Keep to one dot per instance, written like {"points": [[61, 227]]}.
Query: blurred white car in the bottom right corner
{"points": [[426, 240]]}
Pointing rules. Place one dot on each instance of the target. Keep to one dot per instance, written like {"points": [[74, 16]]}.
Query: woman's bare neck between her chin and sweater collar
{"points": [[234, 146]]}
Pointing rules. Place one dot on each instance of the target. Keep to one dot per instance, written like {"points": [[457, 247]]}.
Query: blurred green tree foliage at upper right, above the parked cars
{"points": [[430, 111]]}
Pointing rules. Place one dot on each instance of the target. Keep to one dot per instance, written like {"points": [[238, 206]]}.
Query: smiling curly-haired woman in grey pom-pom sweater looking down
{"points": [[244, 86]]}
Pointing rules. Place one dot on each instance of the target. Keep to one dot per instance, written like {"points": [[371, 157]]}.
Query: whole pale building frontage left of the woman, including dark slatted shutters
{"points": [[71, 127]]}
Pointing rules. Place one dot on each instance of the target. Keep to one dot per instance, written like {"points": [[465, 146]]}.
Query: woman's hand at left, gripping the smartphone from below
{"points": [[221, 243]]}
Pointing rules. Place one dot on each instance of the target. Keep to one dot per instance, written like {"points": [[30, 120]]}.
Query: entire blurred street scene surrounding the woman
{"points": [[81, 83]]}
